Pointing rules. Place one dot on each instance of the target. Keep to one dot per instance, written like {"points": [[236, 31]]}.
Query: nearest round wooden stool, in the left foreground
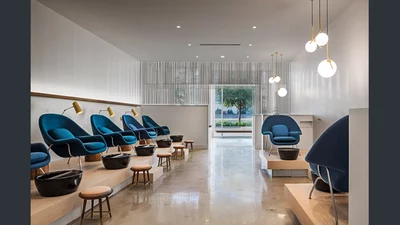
{"points": [[93, 193]]}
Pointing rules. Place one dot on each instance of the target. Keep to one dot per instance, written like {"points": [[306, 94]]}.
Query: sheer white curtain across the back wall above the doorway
{"points": [[187, 83]]}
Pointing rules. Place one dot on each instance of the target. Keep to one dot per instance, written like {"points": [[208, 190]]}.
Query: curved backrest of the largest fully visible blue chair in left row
{"points": [[57, 126]]}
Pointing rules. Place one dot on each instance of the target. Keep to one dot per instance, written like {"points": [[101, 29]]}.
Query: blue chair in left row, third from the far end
{"points": [[113, 135]]}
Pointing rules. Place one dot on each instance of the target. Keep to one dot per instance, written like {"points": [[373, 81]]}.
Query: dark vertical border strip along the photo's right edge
{"points": [[384, 119]]}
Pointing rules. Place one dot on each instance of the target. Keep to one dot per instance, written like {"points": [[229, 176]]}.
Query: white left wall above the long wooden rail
{"points": [[69, 60]]}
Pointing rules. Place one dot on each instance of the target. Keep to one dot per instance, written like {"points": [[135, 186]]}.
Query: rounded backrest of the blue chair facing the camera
{"points": [[274, 120]]}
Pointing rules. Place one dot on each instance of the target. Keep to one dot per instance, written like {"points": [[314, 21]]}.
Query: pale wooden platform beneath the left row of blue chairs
{"points": [[46, 210]]}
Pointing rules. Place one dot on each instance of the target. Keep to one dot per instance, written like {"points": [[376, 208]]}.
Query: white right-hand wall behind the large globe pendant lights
{"points": [[331, 98]]}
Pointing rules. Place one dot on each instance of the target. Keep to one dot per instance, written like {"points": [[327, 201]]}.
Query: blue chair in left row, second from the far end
{"points": [[130, 123]]}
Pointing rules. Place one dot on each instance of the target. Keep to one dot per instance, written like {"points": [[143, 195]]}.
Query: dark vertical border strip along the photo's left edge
{"points": [[15, 111]]}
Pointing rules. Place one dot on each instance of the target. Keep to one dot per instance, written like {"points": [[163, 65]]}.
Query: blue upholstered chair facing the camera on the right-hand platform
{"points": [[282, 130]]}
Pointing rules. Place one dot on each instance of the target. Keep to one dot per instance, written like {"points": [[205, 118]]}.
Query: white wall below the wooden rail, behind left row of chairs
{"points": [[41, 105]]}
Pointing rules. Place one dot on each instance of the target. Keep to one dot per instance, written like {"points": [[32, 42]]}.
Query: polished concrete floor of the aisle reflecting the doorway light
{"points": [[223, 185]]}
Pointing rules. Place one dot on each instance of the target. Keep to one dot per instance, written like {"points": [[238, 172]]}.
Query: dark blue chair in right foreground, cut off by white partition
{"points": [[329, 158]]}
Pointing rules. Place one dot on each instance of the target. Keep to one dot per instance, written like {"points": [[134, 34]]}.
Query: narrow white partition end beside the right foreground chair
{"points": [[358, 167]]}
